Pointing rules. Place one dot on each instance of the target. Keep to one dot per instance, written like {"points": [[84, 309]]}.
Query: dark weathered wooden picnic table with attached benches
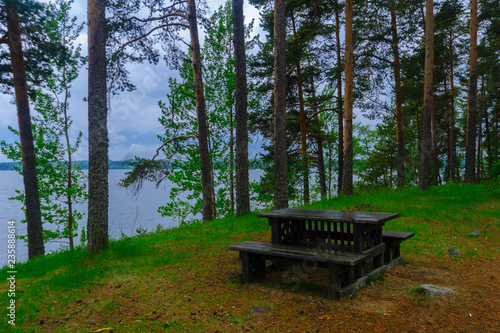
{"points": [[344, 242]]}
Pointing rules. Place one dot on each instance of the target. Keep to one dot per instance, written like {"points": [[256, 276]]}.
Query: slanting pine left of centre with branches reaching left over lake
{"points": [[171, 18]]}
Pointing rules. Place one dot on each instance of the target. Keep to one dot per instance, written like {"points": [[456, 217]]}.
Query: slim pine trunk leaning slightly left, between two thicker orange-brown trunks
{"points": [[399, 105]]}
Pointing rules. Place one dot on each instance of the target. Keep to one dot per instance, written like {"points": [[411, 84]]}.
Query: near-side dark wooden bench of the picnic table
{"points": [[339, 263]]}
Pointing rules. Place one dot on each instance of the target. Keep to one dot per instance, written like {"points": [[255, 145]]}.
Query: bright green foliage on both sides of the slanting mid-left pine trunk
{"points": [[182, 163]]}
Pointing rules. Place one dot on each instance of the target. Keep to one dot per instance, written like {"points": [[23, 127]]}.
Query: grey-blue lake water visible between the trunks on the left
{"points": [[127, 213]]}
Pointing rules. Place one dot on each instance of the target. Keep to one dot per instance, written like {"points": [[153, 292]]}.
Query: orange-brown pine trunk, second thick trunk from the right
{"points": [[426, 142]]}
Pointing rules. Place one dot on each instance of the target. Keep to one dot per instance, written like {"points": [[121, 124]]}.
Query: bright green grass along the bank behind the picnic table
{"points": [[440, 218]]}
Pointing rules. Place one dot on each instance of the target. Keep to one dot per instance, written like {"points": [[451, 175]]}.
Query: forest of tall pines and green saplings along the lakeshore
{"points": [[426, 73]]}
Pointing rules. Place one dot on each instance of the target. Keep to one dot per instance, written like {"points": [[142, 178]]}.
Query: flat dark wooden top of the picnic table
{"points": [[329, 215]]}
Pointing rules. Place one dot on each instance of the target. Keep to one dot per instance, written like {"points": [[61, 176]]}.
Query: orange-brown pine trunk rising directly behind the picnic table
{"points": [[347, 186]]}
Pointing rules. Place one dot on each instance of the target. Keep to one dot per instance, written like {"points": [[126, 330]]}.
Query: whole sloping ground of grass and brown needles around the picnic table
{"points": [[185, 279]]}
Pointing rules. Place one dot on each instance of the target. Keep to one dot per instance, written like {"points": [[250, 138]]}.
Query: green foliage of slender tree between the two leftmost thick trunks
{"points": [[60, 183]]}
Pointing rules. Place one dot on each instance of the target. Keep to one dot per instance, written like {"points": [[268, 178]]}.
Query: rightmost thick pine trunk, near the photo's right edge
{"points": [[470, 146]]}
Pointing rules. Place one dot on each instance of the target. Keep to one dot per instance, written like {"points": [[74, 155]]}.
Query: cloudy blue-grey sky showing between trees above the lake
{"points": [[133, 118]]}
